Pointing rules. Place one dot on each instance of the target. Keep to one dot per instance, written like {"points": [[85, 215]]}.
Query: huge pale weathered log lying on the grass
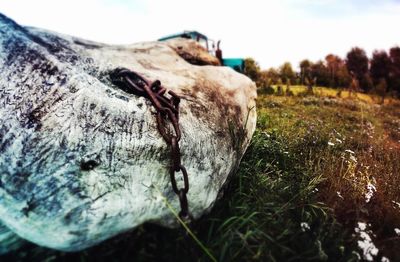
{"points": [[81, 160]]}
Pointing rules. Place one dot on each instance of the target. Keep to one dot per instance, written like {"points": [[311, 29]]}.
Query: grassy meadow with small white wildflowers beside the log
{"points": [[320, 182]]}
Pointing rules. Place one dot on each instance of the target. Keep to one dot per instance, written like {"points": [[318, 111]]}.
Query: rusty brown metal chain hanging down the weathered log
{"points": [[167, 110]]}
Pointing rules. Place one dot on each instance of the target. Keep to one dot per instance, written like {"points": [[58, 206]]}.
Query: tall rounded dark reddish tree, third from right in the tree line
{"points": [[357, 63]]}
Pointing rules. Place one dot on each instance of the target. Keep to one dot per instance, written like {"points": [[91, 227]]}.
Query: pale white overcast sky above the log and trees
{"points": [[271, 32]]}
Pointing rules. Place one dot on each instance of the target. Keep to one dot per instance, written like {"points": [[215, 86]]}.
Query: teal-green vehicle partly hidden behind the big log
{"points": [[235, 63]]}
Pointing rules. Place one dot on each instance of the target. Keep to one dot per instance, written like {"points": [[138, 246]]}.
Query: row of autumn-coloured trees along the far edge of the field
{"points": [[380, 73]]}
